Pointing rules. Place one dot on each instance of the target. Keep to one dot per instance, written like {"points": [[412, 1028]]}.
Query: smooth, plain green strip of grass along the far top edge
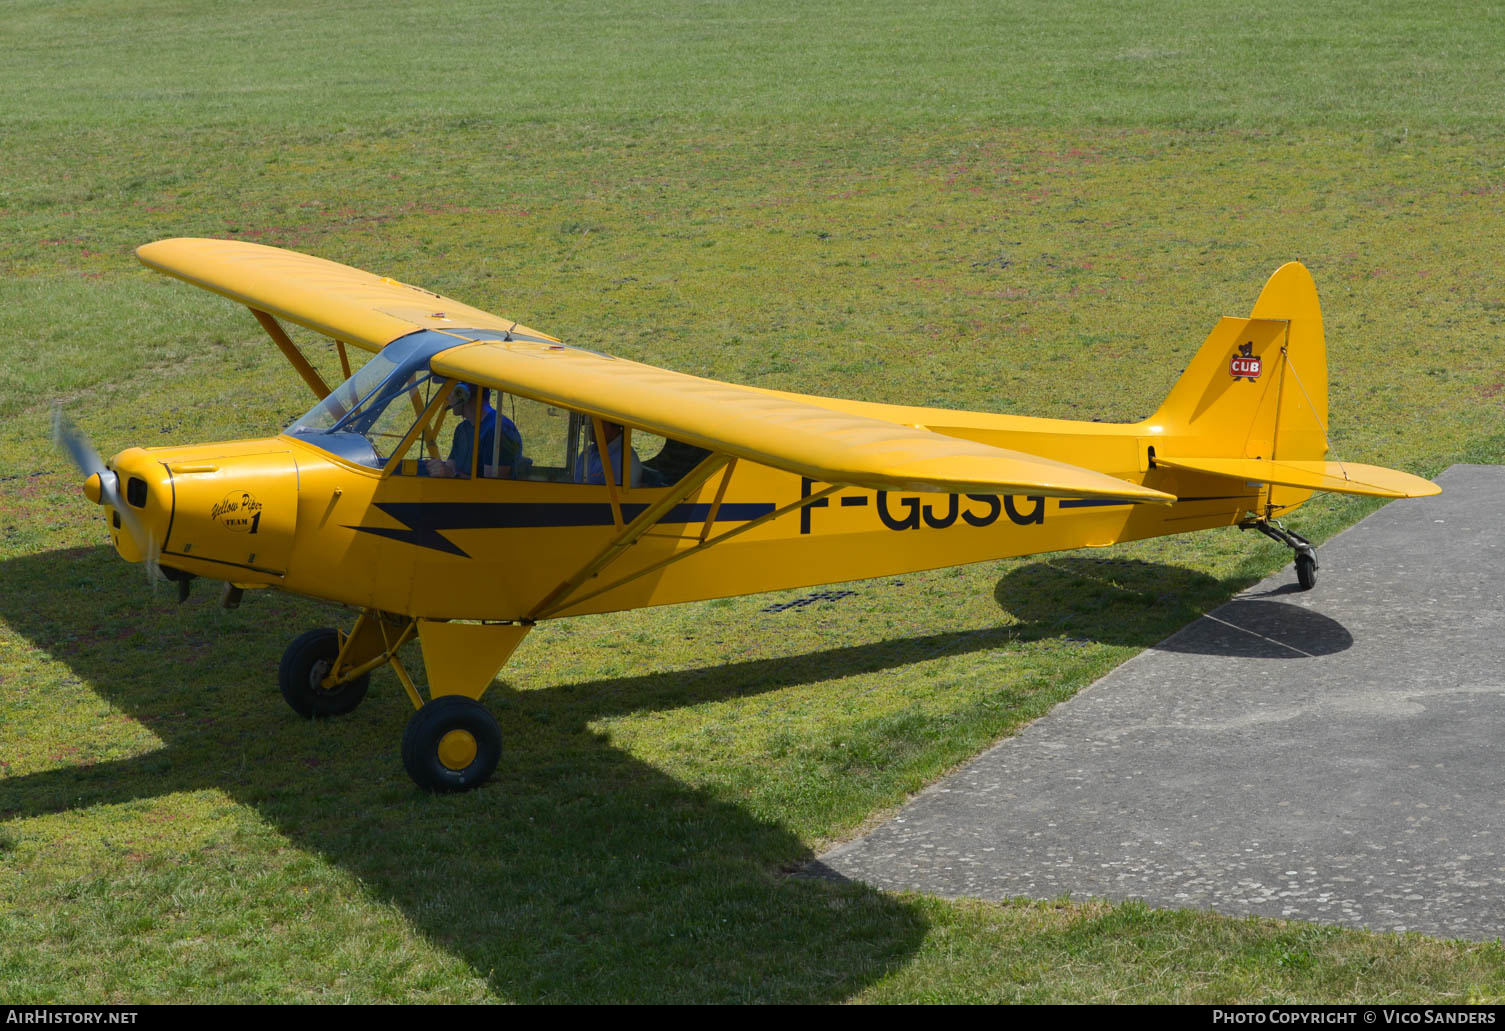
{"points": [[374, 67]]}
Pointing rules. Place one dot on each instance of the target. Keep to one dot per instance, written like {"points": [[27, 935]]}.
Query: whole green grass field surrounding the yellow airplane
{"points": [[1029, 208]]}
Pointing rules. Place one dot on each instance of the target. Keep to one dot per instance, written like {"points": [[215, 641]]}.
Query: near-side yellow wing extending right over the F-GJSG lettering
{"points": [[821, 443]]}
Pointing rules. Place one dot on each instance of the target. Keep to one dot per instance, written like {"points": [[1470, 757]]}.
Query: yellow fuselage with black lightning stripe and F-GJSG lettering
{"points": [[287, 514]]}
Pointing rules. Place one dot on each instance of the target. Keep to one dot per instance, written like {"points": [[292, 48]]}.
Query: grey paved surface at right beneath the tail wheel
{"points": [[1331, 756]]}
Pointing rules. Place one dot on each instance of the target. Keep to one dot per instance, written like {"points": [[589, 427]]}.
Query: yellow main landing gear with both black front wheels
{"points": [[452, 743]]}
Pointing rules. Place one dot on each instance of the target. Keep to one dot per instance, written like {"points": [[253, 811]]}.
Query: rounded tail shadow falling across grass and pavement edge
{"points": [[1117, 601]]}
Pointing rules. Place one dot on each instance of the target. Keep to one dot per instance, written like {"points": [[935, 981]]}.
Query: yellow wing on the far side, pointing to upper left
{"points": [[336, 300]]}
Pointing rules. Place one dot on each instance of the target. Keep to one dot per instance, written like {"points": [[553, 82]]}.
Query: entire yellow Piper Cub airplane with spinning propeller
{"points": [[476, 476]]}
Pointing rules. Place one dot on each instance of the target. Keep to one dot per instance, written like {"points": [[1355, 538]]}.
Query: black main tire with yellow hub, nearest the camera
{"points": [[452, 744]]}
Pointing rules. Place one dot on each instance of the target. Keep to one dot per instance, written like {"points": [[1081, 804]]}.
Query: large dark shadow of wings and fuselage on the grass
{"points": [[565, 871]]}
